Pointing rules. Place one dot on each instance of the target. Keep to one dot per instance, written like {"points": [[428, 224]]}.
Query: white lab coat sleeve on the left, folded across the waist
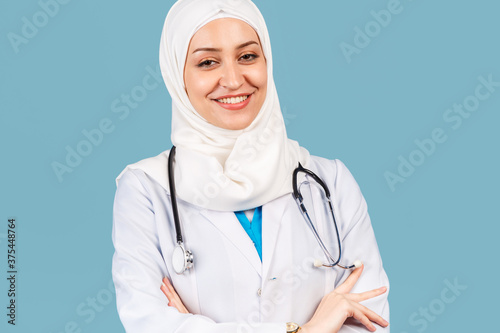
{"points": [[138, 267]]}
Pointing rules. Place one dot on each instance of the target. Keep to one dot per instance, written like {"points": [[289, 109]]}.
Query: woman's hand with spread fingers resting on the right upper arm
{"points": [[340, 304]]}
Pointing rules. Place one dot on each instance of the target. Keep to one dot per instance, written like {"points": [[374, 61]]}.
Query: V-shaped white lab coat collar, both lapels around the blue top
{"points": [[230, 227]]}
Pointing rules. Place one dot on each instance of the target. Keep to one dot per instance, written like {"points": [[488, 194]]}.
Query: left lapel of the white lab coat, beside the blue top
{"points": [[227, 223]]}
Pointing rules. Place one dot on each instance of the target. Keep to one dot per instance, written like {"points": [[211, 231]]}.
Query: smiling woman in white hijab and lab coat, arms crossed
{"points": [[254, 253]]}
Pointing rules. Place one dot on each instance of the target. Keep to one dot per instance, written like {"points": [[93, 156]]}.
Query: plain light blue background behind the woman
{"points": [[367, 110]]}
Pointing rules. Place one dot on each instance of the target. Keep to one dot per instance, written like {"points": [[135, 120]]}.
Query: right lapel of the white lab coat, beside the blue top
{"points": [[272, 215]]}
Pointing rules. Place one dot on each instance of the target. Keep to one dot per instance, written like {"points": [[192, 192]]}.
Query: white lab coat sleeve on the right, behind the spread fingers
{"points": [[358, 241]]}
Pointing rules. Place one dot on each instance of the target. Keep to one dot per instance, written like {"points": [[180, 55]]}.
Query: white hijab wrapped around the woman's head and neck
{"points": [[216, 168]]}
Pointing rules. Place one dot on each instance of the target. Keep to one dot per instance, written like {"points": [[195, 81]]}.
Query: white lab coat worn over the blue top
{"points": [[229, 289]]}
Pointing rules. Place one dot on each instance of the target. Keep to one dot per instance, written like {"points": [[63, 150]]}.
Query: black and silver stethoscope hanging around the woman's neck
{"points": [[182, 259]]}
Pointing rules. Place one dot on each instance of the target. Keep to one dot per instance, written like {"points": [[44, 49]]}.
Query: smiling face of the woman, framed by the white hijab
{"points": [[226, 74]]}
